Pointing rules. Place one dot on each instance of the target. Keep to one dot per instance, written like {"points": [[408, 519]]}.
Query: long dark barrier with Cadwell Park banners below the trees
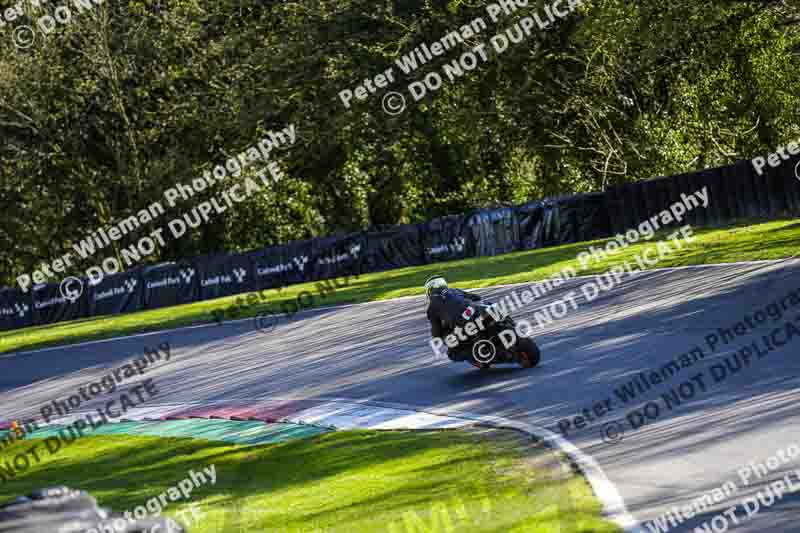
{"points": [[736, 192]]}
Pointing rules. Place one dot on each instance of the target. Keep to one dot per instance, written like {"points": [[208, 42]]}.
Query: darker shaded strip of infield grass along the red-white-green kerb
{"points": [[105, 463]]}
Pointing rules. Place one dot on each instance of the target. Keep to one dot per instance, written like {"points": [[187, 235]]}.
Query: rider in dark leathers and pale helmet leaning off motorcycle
{"points": [[446, 308]]}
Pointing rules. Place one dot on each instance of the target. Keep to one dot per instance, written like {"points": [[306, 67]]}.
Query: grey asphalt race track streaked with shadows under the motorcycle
{"points": [[379, 352]]}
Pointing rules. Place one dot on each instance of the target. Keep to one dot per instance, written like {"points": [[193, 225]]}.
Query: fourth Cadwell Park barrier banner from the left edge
{"points": [[168, 284]]}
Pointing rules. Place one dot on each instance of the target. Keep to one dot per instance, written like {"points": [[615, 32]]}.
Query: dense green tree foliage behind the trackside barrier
{"points": [[102, 115]]}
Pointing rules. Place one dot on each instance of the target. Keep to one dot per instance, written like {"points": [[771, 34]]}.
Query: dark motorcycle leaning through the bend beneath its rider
{"points": [[492, 339]]}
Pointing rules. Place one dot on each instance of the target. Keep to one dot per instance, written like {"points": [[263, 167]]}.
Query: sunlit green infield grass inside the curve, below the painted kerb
{"points": [[342, 482]]}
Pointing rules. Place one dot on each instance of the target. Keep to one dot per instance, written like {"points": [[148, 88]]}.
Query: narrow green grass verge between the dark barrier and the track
{"points": [[771, 240]]}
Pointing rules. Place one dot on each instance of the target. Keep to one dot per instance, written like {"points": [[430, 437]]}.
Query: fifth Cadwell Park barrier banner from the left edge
{"points": [[224, 275]]}
